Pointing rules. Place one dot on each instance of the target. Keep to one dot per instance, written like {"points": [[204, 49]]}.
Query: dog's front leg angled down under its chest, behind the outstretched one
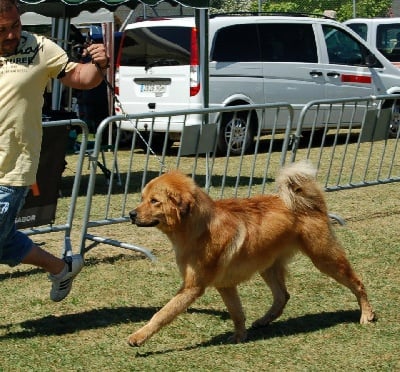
{"points": [[232, 301]]}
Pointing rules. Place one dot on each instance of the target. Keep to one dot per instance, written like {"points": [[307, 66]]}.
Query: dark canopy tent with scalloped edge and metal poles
{"points": [[64, 10]]}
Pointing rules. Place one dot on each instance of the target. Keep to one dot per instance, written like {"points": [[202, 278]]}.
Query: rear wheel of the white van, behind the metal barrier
{"points": [[233, 133]]}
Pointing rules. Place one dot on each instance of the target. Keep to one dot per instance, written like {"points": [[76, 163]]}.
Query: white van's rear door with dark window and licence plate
{"points": [[154, 67]]}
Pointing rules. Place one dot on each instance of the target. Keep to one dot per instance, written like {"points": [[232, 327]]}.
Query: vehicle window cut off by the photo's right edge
{"points": [[388, 40]]}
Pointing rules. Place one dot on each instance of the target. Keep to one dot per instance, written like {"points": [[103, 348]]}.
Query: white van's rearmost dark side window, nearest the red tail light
{"points": [[237, 43]]}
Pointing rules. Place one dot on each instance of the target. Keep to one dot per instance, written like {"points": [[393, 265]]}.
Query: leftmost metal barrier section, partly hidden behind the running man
{"points": [[67, 226]]}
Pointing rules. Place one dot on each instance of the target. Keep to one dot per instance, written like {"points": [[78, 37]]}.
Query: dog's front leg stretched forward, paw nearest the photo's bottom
{"points": [[177, 305]]}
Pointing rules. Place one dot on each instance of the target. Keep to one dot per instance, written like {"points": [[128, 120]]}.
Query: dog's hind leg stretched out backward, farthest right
{"points": [[329, 257]]}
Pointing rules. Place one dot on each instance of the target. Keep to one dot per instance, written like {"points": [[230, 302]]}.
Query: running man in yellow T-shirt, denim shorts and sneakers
{"points": [[27, 62]]}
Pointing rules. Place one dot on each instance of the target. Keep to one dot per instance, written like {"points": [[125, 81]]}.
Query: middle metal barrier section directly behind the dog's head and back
{"points": [[221, 175]]}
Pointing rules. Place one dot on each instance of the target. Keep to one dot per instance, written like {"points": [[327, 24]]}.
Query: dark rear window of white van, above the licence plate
{"points": [[156, 46]]}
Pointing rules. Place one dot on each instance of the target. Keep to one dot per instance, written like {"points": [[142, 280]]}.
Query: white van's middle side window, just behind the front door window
{"points": [[282, 42]]}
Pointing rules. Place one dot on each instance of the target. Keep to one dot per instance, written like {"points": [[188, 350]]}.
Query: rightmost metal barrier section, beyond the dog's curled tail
{"points": [[350, 141]]}
